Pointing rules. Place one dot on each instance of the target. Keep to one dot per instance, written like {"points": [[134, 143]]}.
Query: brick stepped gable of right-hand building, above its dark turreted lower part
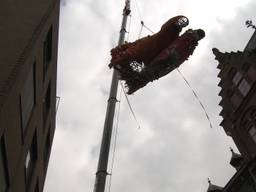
{"points": [[238, 93]]}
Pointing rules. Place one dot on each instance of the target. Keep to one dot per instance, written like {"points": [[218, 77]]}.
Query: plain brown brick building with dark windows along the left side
{"points": [[28, 68]]}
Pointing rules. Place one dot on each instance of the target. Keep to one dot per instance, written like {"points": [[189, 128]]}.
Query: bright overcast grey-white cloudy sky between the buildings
{"points": [[175, 150]]}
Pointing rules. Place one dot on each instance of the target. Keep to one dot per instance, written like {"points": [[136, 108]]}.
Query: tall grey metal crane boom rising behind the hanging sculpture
{"points": [[102, 173]]}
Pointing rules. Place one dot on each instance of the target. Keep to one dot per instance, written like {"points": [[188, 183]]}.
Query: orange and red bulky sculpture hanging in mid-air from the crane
{"points": [[153, 57]]}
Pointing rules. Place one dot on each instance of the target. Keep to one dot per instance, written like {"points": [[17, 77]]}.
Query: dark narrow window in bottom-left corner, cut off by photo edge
{"points": [[3, 168]]}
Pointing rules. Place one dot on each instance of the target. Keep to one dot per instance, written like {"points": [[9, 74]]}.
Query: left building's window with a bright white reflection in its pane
{"points": [[31, 159]]}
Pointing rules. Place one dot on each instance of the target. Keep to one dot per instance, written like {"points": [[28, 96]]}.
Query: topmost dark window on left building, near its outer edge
{"points": [[47, 51]]}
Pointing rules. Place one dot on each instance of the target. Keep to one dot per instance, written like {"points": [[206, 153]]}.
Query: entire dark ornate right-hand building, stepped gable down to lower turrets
{"points": [[238, 92]]}
